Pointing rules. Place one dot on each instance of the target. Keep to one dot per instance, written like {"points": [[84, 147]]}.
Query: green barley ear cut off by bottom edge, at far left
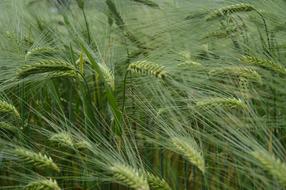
{"points": [[45, 184]]}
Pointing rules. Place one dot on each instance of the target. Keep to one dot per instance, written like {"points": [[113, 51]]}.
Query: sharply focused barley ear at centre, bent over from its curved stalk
{"points": [[148, 68]]}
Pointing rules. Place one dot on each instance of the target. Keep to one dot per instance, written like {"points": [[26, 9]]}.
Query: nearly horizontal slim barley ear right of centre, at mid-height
{"points": [[226, 103]]}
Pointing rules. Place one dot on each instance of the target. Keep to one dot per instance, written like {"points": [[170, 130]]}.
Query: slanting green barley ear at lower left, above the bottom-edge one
{"points": [[38, 160]]}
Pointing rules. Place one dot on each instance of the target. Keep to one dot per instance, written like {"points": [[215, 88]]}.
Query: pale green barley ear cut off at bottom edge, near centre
{"points": [[129, 176]]}
